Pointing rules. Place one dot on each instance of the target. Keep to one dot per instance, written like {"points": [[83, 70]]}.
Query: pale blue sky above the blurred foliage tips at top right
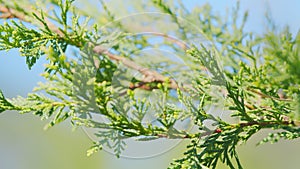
{"points": [[283, 12]]}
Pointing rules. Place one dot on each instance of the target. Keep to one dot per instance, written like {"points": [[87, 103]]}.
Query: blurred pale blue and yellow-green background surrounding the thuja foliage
{"points": [[25, 145]]}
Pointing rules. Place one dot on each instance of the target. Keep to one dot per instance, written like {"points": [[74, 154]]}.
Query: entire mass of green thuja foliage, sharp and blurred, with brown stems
{"points": [[96, 85]]}
